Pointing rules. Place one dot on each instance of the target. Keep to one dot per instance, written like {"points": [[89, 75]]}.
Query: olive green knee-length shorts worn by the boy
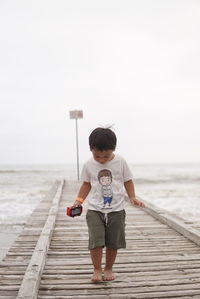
{"points": [[106, 229]]}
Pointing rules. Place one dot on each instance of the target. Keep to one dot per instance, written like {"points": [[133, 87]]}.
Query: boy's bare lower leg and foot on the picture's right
{"points": [[110, 259]]}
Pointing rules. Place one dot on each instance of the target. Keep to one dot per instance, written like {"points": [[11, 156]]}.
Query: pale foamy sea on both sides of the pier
{"points": [[173, 187]]}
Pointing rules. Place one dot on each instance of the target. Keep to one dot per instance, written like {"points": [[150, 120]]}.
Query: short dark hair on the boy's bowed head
{"points": [[102, 139]]}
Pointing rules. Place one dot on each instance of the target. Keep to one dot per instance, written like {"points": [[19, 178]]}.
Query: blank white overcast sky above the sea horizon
{"points": [[134, 64]]}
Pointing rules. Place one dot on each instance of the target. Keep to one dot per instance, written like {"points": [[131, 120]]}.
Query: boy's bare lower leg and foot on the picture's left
{"points": [[96, 256]]}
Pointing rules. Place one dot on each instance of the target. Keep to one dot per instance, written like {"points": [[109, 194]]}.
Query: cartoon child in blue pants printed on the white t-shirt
{"points": [[105, 179]]}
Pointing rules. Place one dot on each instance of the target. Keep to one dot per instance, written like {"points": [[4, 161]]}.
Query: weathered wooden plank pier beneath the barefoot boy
{"points": [[50, 258]]}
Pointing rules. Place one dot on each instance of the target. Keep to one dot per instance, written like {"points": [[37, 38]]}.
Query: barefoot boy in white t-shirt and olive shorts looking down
{"points": [[105, 175]]}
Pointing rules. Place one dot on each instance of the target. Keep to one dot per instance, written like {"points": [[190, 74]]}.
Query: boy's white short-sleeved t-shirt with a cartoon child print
{"points": [[107, 182]]}
